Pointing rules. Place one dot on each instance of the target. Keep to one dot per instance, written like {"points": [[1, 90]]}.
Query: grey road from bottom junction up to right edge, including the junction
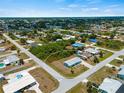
{"points": [[68, 84]]}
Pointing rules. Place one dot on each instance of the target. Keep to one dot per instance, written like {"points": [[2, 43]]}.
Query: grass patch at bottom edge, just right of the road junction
{"points": [[79, 88]]}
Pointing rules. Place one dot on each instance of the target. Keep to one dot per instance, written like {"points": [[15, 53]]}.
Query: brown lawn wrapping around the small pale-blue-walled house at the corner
{"points": [[59, 67]]}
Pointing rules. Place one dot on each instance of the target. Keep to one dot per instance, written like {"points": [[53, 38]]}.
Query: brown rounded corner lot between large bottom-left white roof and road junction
{"points": [[46, 81]]}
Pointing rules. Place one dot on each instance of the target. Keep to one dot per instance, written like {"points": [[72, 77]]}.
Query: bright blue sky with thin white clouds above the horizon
{"points": [[61, 8]]}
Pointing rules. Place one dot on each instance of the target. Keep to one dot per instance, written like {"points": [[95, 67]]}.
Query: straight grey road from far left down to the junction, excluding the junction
{"points": [[40, 62]]}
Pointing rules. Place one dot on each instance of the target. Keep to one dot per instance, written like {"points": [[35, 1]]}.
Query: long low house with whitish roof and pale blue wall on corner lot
{"points": [[72, 62]]}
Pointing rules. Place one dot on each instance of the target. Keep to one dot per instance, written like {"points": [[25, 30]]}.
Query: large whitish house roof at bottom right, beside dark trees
{"points": [[110, 85]]}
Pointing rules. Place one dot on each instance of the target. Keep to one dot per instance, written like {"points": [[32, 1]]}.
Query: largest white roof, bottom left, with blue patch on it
{"points": [[16, 83]]}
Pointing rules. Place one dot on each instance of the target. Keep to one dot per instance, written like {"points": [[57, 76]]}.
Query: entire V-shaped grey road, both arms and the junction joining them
{"points": [[66, 84]]}
